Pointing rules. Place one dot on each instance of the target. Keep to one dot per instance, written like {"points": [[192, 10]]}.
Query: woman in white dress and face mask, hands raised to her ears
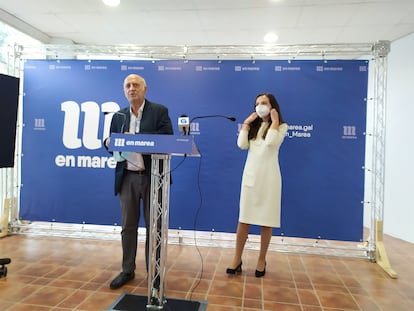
{"points": [[262, 133]]}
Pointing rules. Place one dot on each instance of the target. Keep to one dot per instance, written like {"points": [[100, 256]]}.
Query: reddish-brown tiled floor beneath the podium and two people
{"points": [[52, 273]]}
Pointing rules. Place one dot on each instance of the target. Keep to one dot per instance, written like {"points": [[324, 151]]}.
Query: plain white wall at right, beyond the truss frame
{"points": [[399, 158]]}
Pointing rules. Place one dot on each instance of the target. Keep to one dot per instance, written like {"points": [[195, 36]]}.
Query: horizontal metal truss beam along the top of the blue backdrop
{"points": [[320, 51]]}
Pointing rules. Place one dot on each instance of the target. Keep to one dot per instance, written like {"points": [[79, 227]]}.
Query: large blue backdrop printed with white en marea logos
{"points": [[67, 175]]}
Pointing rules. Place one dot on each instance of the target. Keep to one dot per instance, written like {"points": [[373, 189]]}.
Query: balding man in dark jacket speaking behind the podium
{"points": [[133, 171]]}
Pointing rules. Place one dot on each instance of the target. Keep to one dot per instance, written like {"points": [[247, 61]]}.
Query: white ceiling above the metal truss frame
{"points": [[210, 22]]}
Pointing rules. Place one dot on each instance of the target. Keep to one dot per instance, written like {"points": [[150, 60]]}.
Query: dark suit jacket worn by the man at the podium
{"points": [[155, 120]]}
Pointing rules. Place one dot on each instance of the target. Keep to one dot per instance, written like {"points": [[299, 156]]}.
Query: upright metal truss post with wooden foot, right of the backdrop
{"points": [[380, 51]]}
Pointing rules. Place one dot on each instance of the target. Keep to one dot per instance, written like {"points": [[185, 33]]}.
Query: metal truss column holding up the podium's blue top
{"points": [[160, 198]]}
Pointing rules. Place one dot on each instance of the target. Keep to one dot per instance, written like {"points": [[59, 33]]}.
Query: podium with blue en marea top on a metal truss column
{"points": [[161, 148]]}
